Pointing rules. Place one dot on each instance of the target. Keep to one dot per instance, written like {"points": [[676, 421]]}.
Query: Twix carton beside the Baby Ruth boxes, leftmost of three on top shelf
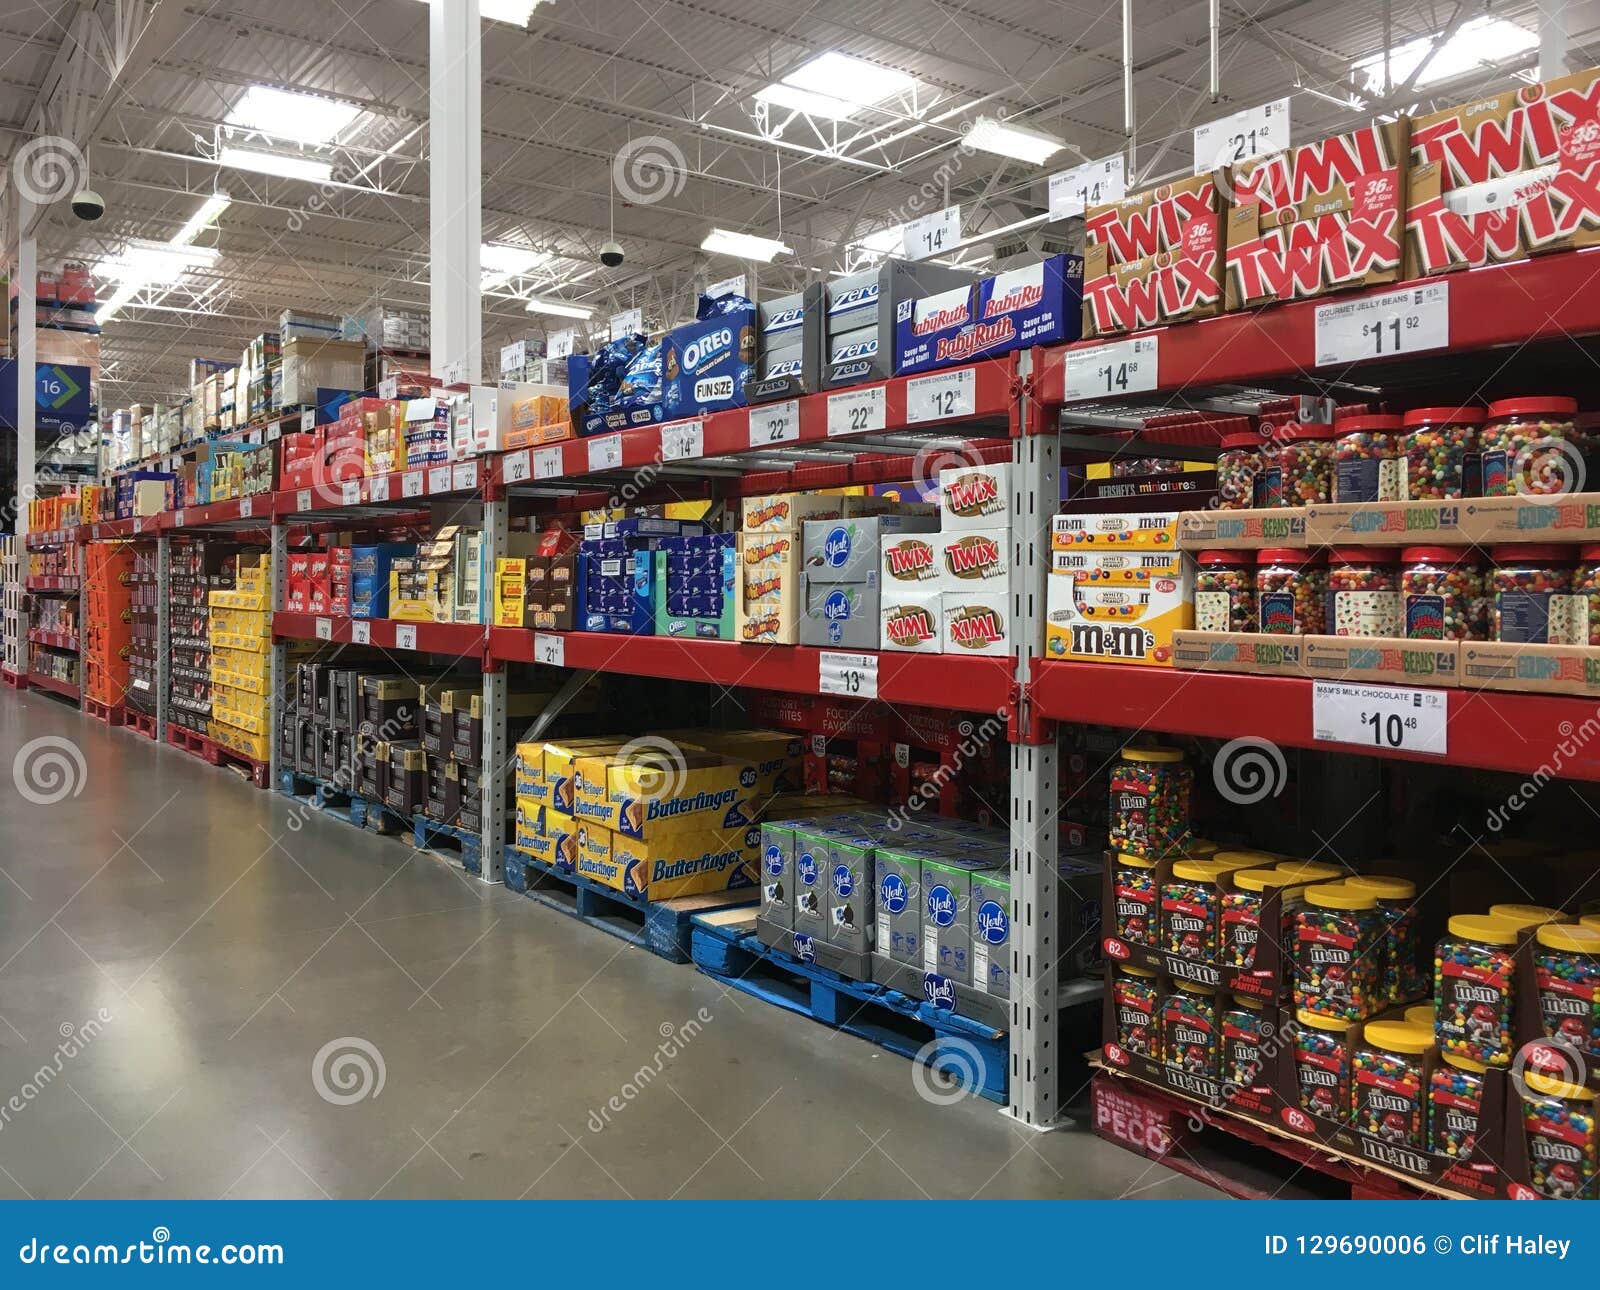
{"points": [[1154, 258]]}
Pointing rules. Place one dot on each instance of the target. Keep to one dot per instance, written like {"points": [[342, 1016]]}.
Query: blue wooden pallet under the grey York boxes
{"points": [[967, 1051]]}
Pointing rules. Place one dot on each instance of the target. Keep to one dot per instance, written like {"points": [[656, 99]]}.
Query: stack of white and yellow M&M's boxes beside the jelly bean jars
{"points": [[1118, 588]]}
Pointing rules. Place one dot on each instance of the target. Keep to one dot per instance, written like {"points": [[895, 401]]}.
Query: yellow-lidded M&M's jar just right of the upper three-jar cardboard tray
{"points": [[1337, 971]]}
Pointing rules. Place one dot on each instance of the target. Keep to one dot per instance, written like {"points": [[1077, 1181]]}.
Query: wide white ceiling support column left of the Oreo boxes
{"points": [[455, 90]]}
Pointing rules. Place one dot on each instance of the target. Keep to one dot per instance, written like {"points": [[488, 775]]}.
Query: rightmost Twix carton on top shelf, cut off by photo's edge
{"points": [[1506, 177]]}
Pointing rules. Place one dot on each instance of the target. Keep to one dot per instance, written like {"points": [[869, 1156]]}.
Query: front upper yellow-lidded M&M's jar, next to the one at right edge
{"points": [[1474, 987]]}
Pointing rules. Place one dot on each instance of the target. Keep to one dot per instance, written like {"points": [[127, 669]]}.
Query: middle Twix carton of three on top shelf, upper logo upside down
{"points": [[1318, 218]]}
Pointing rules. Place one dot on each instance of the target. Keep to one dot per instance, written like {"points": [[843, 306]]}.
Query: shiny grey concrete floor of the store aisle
{"points": [[177, 955]]}
